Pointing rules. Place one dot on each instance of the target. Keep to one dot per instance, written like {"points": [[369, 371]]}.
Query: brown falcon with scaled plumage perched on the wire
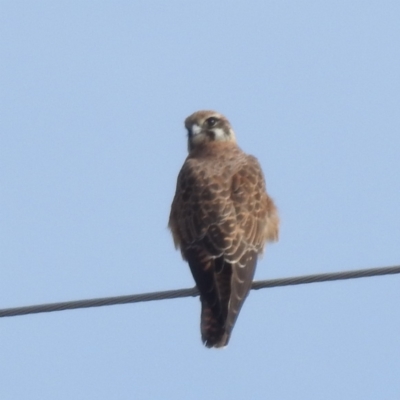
{"points": [[221, 218]]}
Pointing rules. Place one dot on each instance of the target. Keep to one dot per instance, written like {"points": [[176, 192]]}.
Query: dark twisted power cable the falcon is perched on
{"points": [[174, 294]]}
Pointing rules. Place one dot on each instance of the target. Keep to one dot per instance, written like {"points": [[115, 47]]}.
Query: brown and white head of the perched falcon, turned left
{"points": [[208, 126]]}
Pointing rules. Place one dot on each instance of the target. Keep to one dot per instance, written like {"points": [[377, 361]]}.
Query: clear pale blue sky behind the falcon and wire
{"points": [[92, 101]]}
